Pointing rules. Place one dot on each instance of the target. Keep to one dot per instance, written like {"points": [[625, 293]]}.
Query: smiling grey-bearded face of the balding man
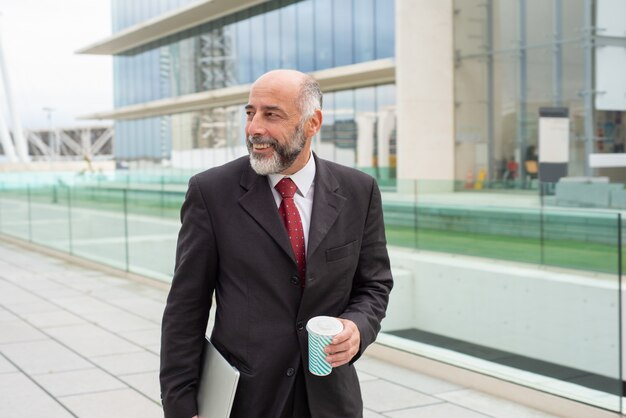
{"points": [[278, 140]]}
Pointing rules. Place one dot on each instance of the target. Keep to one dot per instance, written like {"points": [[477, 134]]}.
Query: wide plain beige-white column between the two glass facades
{"points": [[425, 89]]}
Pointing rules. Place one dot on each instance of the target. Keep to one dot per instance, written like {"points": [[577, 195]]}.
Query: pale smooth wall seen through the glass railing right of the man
{"points": [[566, 318]]}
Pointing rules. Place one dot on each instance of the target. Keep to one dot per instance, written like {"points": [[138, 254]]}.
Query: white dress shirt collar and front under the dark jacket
{"points": [[304, 180]]}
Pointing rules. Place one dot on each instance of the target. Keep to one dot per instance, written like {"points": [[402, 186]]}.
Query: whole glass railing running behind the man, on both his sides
{"points": [[516, 281]]}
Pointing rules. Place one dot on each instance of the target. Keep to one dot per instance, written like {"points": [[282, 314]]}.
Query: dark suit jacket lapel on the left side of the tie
{"points": [[258, 201]]}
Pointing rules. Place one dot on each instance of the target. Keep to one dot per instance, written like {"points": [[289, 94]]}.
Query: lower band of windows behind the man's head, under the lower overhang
{"points": [[358, 131]]}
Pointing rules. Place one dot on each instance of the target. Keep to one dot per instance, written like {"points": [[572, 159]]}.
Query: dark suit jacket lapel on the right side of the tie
{"points": [[327, 204]]}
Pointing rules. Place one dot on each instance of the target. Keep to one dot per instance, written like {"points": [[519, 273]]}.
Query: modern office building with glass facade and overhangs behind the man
{"points": [[182, 70]]}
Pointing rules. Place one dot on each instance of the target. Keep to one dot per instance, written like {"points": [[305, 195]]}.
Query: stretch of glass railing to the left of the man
{"points": [[132, 229]]}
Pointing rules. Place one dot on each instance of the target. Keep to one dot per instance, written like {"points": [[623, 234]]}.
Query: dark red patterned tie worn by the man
{"points": [[291, 218]]}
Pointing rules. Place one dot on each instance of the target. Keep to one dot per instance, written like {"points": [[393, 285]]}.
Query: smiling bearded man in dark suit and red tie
{"points": [[235, 241]]}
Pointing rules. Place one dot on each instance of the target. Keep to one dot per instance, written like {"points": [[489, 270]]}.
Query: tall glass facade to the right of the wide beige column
{"points": [[512, 58]]}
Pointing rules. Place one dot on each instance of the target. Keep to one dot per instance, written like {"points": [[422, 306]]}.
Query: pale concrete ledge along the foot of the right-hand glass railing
{"points": [[503, 389]]}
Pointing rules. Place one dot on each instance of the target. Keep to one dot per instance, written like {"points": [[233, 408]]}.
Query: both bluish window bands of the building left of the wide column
{"points": [[307, 35]]}
